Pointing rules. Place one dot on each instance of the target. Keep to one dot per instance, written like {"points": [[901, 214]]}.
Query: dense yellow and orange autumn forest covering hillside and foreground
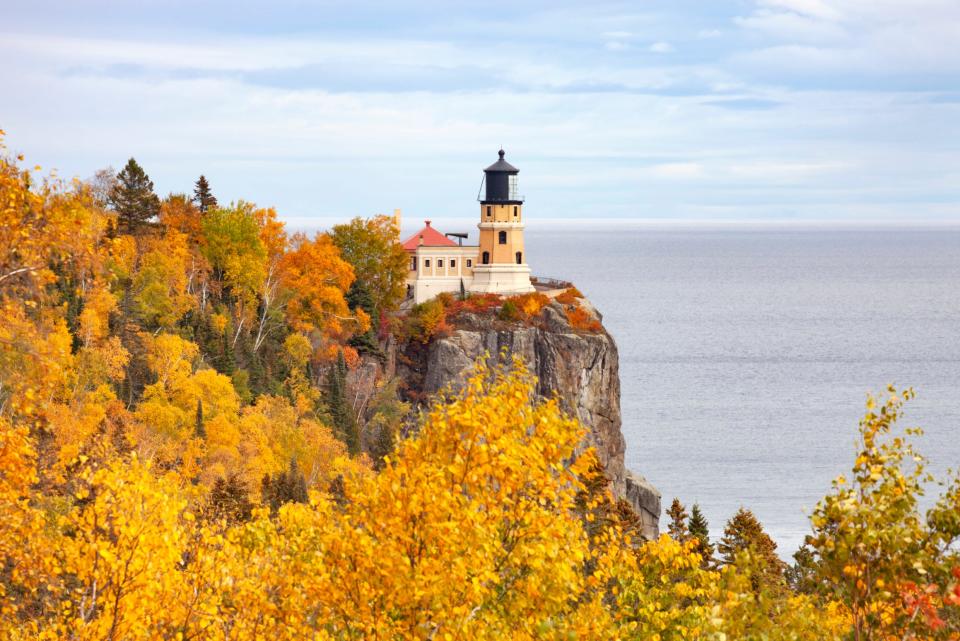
{"points": [[185, 454]]}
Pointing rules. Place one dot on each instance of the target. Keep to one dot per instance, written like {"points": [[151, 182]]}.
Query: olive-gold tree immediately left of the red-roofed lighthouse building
{"points": [[372, 247]]}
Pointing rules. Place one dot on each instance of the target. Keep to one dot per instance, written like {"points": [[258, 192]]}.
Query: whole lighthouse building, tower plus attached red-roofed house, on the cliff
{"points": [[497, 265]]}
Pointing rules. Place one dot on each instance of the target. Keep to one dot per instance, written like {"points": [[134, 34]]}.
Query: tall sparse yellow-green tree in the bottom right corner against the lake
{"points": [[895, 568]]}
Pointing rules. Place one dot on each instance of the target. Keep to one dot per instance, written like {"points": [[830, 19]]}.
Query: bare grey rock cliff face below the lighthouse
{"points": [[582, 367]]}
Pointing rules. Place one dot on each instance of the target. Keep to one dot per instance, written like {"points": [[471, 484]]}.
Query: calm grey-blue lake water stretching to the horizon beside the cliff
{"points": [[746, 353]]}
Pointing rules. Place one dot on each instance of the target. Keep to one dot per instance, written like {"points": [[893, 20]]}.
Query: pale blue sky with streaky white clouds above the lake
{"points": [[702, 110]]}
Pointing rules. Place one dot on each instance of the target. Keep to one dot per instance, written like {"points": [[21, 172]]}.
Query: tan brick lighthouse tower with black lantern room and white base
{"points": [[501, 266]]}
